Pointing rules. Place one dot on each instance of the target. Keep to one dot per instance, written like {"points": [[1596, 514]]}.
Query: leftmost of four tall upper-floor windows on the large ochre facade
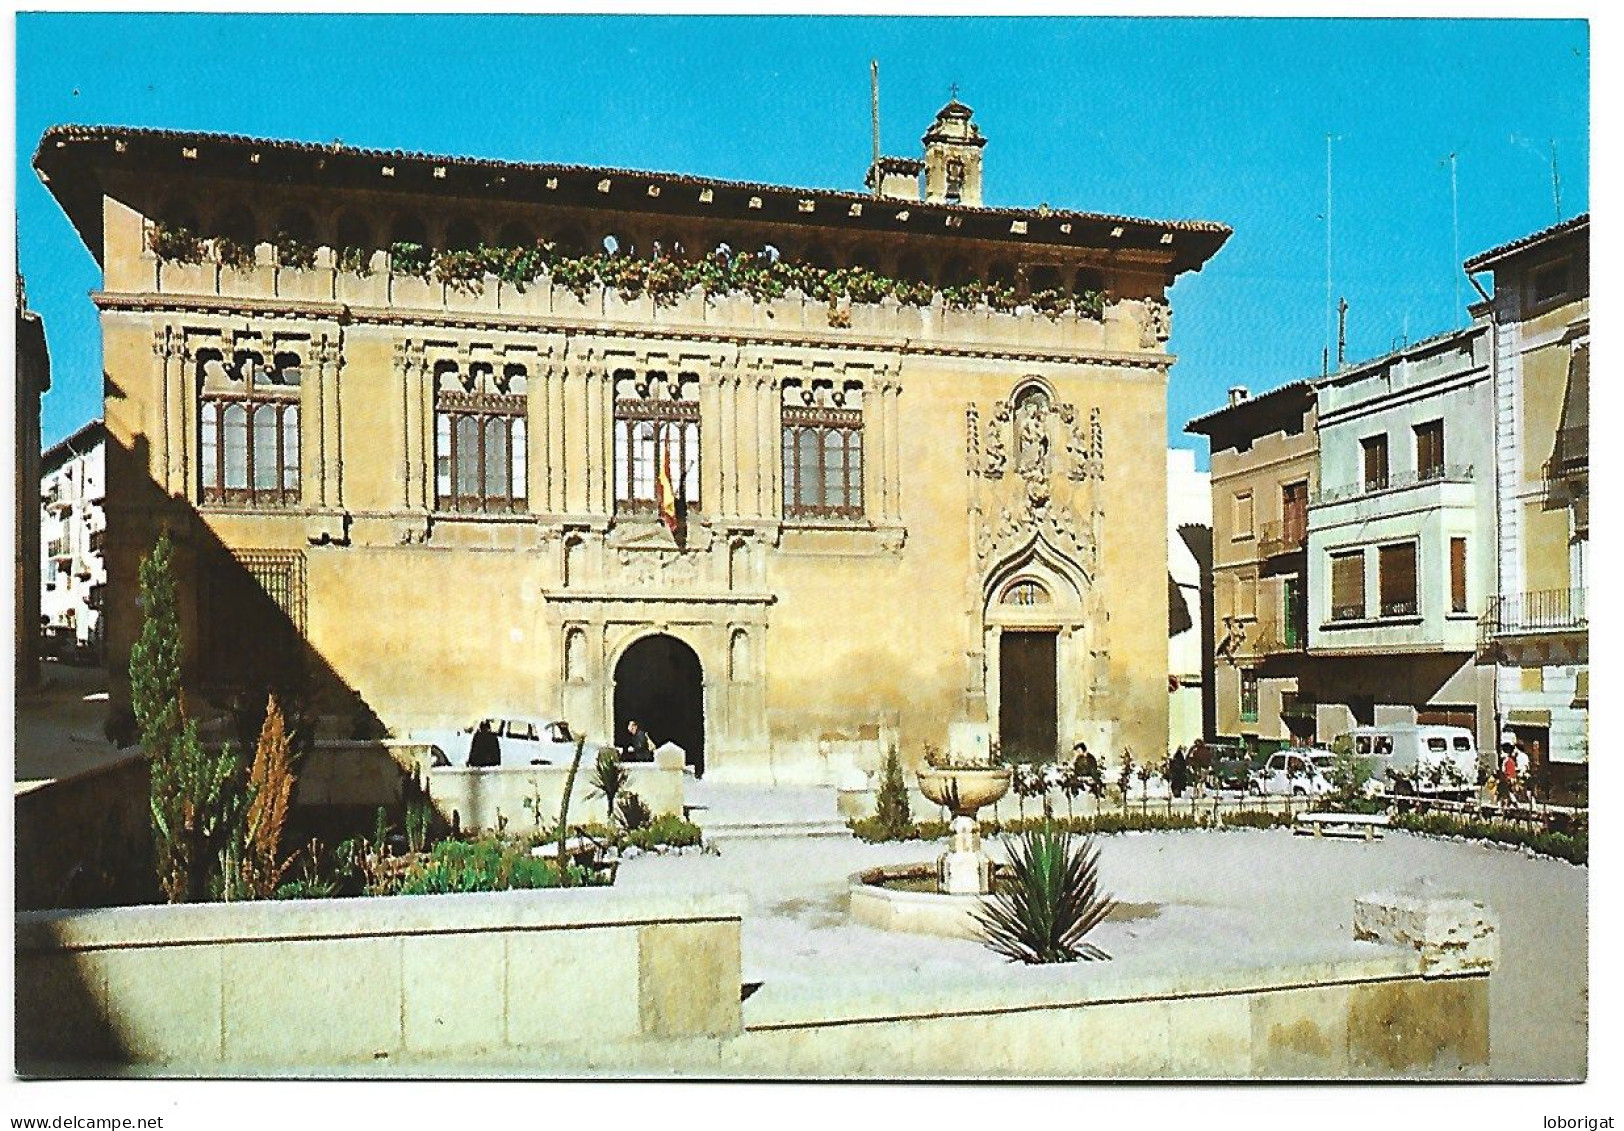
{"points": [[249, 428]]}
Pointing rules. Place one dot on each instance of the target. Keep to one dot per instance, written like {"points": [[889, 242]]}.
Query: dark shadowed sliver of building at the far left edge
{"points": [[30, 383]]}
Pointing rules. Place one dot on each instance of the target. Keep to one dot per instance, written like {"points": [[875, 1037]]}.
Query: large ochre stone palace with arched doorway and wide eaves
{"points": [[451, 438]]}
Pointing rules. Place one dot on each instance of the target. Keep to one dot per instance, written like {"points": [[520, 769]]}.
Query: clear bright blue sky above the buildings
{"points": [[1207, 119]]}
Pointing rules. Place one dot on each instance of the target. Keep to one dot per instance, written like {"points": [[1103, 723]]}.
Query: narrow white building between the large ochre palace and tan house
{"points": [[1190, 576]]}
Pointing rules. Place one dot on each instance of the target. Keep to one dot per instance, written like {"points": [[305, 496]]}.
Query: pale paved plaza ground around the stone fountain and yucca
{"points": [[1194, 901]]}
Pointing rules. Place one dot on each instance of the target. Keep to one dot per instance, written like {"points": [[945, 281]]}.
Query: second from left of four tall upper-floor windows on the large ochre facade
{"points": [[480, 453]]}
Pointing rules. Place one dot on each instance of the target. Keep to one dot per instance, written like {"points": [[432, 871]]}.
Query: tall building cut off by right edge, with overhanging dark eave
{"points": [[1535, 630]]}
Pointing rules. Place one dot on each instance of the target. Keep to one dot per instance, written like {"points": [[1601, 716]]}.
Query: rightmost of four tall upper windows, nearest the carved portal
{"points": [[823, 449]]}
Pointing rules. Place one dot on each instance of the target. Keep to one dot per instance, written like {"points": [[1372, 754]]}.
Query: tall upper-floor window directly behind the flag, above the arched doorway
{"points": [[657, 422]]}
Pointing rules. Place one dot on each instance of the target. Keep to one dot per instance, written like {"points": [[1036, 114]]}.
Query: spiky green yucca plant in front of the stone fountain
{"points": [[1050, 901]]}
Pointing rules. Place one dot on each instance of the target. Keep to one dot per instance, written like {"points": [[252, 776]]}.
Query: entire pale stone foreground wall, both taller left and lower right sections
{"points": [[624, 984]]}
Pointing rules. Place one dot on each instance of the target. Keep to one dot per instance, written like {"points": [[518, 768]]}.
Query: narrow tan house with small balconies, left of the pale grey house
{"points": [[1264, 470]]}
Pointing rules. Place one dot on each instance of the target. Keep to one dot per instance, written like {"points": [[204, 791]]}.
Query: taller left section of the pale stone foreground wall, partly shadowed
{"points": [[298, 984]]}
